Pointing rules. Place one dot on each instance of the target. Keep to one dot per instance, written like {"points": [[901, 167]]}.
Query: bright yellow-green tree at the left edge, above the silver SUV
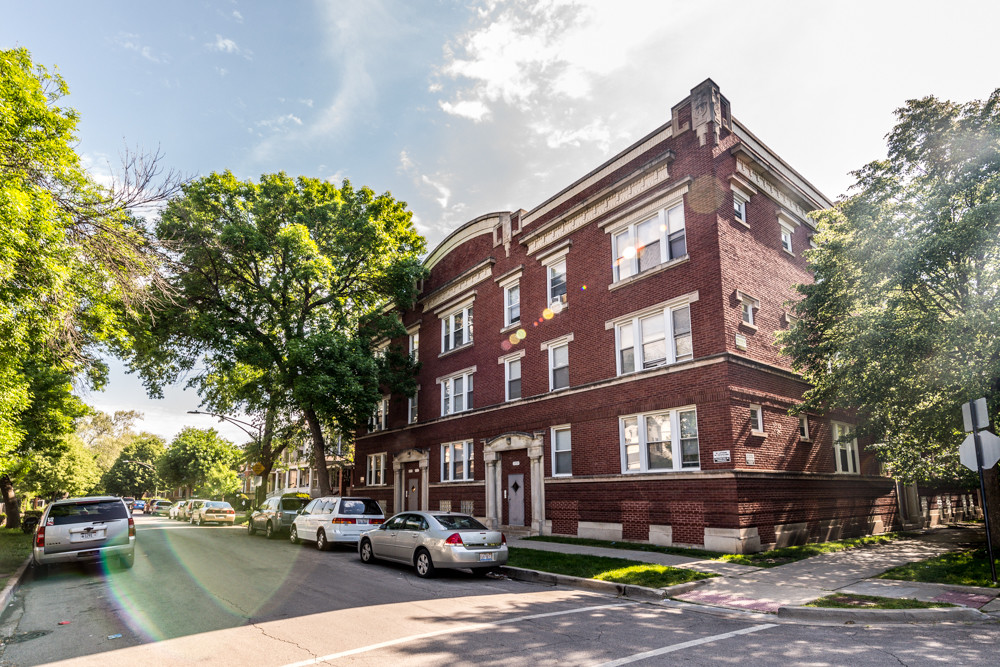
{"points": [[74, 262]]}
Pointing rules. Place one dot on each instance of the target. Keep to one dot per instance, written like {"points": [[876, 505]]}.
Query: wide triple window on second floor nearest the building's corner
{"points": [[643, 341]]}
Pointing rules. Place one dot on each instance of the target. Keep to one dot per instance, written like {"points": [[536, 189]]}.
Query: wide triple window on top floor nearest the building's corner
{"points": [[644, 245]]}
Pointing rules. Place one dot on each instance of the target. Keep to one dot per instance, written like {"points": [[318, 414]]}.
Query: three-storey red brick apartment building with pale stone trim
{"points": [[622, 379]]}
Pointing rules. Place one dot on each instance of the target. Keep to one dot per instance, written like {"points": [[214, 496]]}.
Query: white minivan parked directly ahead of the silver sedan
{"points": [[333, 519]]}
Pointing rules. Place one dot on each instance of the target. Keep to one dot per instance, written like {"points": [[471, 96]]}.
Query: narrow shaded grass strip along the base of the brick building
{"points": [[771, 558]]}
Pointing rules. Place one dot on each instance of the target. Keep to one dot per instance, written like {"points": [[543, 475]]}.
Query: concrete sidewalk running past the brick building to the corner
{"points": [[851, 571]]}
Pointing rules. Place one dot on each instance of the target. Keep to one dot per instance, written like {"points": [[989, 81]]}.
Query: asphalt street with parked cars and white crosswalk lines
{"points": [[215, 596]]}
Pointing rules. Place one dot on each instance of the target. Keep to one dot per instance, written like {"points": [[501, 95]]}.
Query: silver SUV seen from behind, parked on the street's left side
{"points": [[75, 530]]}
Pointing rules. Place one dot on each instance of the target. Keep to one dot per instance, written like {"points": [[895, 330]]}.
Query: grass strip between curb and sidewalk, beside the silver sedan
{"points": [[618, 570]]}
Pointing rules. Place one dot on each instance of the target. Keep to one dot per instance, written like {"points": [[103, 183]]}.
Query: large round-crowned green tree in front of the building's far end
{"points": [[282, 288]]}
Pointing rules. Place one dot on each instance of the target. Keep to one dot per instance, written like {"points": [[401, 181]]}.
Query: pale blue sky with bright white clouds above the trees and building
{"points": [[461, 108]]}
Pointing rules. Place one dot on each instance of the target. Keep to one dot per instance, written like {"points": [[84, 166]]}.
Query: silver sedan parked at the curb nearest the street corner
{"points": [[432, 540]]}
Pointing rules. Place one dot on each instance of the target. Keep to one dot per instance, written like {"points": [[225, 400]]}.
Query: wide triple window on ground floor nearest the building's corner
{"points": [[660, 441]]}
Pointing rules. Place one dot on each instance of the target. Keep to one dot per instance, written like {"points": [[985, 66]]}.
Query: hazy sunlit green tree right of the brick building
{"points": [[902, 321]]}
